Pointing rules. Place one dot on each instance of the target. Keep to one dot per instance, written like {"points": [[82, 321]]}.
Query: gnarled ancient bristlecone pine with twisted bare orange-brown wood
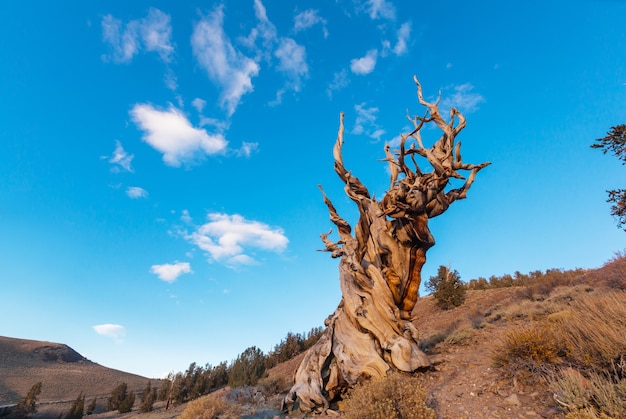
{"points": [[371, 331]]}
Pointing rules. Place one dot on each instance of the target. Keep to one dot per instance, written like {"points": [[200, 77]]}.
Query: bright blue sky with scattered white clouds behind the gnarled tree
{"points": [[159, 162]]}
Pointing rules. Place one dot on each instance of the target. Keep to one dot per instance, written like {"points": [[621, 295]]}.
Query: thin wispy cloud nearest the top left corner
{"points": [[153, 33]]}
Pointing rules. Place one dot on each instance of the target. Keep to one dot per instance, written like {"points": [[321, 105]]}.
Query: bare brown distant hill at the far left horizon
{"points": [[63, 371]]}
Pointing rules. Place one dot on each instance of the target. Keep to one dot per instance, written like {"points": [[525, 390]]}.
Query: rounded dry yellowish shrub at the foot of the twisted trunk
{"points": [[396, 396]]}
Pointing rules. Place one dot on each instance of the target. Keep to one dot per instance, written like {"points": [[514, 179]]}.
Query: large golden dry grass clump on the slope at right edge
{"points": [[579, 328]]}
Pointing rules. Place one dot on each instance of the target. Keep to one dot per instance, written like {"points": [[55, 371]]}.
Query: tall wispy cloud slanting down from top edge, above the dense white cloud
{"points": [[225, 66]]}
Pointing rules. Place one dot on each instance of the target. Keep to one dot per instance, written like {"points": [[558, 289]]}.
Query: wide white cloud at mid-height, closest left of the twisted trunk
{"points": [[226, 237]]}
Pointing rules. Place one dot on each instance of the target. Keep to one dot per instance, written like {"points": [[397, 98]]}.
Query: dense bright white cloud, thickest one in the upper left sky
{"points": [[172, 134]]}
